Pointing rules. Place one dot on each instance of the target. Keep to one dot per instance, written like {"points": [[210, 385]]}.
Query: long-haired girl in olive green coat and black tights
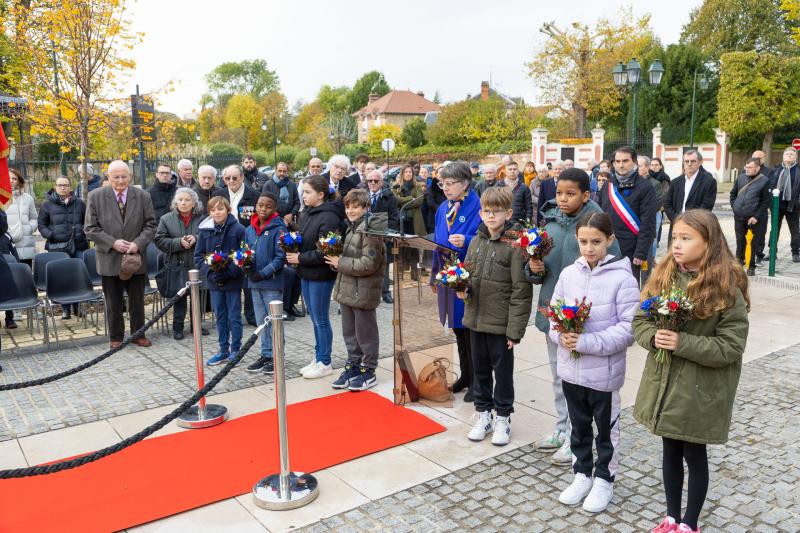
{"points": [[688, 399]]}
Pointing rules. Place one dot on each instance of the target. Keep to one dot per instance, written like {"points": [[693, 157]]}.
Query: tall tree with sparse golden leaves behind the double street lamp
{"points": [[573, 67]]}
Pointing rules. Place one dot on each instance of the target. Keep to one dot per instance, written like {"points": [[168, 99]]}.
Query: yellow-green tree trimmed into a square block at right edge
{"points": [[758, 94]]}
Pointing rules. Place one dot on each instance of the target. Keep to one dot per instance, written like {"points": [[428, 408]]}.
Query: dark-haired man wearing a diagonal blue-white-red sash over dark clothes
{"points": [[630, 200]]}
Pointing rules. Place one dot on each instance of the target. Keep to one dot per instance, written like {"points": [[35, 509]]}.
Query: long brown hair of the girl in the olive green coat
{"points": [[720, 274]]}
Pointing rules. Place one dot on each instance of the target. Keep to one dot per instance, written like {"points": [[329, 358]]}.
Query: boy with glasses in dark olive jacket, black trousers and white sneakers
{"points": [[496, 314]]}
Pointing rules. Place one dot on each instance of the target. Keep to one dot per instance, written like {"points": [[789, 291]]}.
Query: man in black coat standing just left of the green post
{"points": [[750, 198]]}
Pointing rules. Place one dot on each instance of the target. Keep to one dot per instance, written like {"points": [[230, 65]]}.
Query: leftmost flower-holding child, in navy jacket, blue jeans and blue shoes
{"points": [[220, 233]]}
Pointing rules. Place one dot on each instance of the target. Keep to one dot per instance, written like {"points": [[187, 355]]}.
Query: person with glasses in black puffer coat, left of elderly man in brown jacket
{"points": [[61, 218]]}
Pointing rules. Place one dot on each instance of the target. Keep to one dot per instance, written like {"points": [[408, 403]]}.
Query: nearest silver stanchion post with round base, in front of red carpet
{"points": [[287, 489]]}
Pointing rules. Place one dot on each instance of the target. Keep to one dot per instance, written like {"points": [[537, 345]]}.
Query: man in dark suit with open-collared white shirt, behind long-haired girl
{"points": [[696, 188]]}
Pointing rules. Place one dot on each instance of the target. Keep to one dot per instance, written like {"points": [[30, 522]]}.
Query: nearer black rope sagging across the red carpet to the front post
{"points": [[146, 432]]}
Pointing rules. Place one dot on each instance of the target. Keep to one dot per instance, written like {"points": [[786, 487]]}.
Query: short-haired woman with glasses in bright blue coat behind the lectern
{"points": [[457, 221]]}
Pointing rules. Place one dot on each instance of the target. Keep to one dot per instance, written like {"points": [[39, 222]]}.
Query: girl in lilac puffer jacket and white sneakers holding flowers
{"points": [[593, 374]]}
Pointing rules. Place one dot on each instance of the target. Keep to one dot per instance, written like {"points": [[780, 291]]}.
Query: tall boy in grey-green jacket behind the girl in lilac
{"points": [[560, 216]]}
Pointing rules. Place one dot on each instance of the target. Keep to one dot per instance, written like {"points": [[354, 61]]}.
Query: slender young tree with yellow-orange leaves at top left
{"points": [[72, 51]]}
